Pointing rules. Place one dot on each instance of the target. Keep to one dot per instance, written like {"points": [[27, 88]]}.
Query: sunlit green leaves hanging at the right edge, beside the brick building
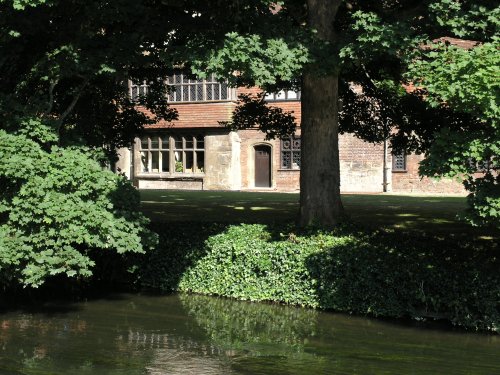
{"points": [[466, 81]]}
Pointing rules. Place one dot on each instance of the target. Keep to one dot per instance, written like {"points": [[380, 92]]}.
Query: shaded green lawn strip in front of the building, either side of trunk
{"points": [[432, 214]]}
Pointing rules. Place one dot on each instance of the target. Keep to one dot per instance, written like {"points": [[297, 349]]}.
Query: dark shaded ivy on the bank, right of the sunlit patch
{"points": [[393, 274]]}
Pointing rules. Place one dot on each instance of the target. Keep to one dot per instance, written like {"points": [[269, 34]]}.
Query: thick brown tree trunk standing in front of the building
{"points": [[320, 168]]}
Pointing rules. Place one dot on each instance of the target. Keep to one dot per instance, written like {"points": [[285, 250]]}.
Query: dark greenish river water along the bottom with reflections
{"points": [[187, 334]]}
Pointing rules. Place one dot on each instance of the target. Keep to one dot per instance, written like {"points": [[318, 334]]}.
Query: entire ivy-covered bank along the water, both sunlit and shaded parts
{"points": [[378, 273]]}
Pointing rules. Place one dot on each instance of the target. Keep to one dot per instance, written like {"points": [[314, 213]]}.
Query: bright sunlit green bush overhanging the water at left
{"points": [[58, 204]]}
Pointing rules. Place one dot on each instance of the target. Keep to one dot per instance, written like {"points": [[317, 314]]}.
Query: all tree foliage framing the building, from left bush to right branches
{"points": [[64, 109]]}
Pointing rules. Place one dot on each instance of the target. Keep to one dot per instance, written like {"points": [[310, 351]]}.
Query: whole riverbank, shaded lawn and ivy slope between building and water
{"points": [[408, 258]]}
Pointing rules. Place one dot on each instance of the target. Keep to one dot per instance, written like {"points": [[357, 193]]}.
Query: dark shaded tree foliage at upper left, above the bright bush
{"points": [[75, 71]]}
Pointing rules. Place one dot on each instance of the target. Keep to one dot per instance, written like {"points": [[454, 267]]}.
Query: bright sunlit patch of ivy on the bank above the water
{"points": [[243, 263]]}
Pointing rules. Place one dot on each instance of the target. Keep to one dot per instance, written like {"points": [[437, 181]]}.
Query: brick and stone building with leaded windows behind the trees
{"points": [[195, 152]]}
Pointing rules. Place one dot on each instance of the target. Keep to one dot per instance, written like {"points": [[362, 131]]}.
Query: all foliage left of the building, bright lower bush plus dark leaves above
{"points": [[64, 109]]}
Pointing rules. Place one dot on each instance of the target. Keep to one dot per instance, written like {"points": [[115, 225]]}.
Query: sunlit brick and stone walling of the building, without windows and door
{"points": [[230, 159]]}
